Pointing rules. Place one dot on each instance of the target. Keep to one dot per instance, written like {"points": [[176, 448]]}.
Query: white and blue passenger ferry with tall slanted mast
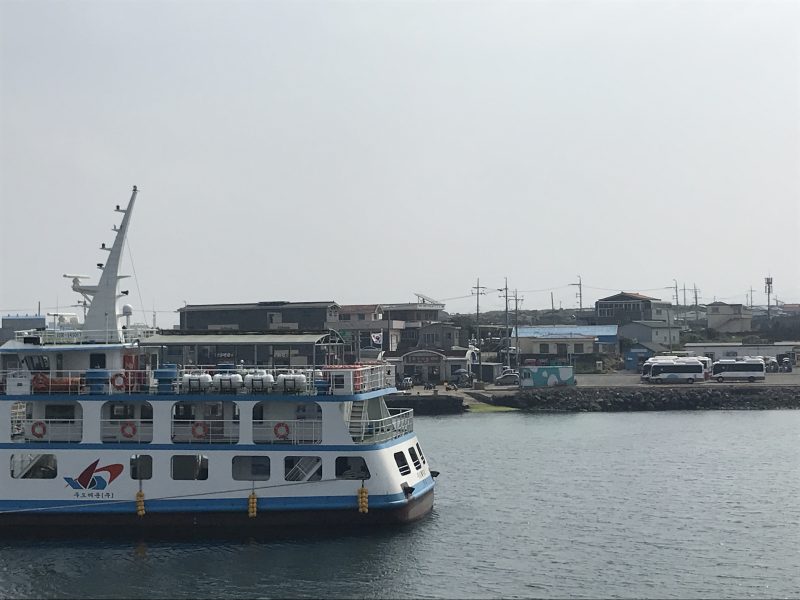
{"points": [[109, 428]]}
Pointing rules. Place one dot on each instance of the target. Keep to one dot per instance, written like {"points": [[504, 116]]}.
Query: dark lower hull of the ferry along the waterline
{"points": [[180, 525]]}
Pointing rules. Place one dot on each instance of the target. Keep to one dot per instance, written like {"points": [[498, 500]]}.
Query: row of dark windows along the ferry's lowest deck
{"points": [[188, 467]]}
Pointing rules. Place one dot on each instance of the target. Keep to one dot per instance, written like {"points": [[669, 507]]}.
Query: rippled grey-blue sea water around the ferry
{"points": [[624, 505]]}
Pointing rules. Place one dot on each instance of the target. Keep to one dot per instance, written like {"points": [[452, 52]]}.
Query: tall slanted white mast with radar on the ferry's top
{"points": [[102, 318]]}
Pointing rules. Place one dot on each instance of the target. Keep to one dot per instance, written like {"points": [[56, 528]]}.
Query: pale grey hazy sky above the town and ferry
{"points": [[364, 151]]}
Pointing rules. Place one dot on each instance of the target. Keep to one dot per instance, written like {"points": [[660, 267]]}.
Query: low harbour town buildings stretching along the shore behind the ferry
{"points": [[429, 345]]}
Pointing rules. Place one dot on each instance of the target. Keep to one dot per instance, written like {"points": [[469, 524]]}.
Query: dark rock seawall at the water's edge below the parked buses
{"points": [[622, 399]]}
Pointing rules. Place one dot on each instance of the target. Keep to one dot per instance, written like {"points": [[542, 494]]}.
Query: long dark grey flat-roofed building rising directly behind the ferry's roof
{"points": [[258, 316]]}
